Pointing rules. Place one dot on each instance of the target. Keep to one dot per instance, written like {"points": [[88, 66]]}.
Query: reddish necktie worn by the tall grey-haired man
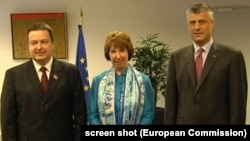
{"points": [[199, 64]]}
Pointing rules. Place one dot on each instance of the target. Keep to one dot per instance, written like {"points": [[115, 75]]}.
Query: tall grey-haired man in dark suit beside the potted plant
{"points": [[219, 95]]}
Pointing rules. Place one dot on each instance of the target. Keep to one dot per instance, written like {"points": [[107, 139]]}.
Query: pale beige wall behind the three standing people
{"points": [[135, 17]]}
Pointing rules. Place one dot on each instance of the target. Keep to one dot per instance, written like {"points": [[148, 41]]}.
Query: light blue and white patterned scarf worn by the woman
{"points": [[132, 100]]}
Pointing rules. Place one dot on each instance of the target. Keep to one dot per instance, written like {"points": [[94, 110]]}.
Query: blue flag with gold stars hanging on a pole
{"points": [[81, 62]]}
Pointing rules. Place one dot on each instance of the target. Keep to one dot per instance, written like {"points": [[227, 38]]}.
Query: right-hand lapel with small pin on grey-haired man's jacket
{"points": [[212, 57]]}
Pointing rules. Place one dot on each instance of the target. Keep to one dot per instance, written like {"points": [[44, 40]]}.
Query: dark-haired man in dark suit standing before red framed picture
{"points": [[28, 113]]}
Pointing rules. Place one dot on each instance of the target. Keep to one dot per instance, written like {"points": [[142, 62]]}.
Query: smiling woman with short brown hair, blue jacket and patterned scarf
{"points": [[120, 95]]}
